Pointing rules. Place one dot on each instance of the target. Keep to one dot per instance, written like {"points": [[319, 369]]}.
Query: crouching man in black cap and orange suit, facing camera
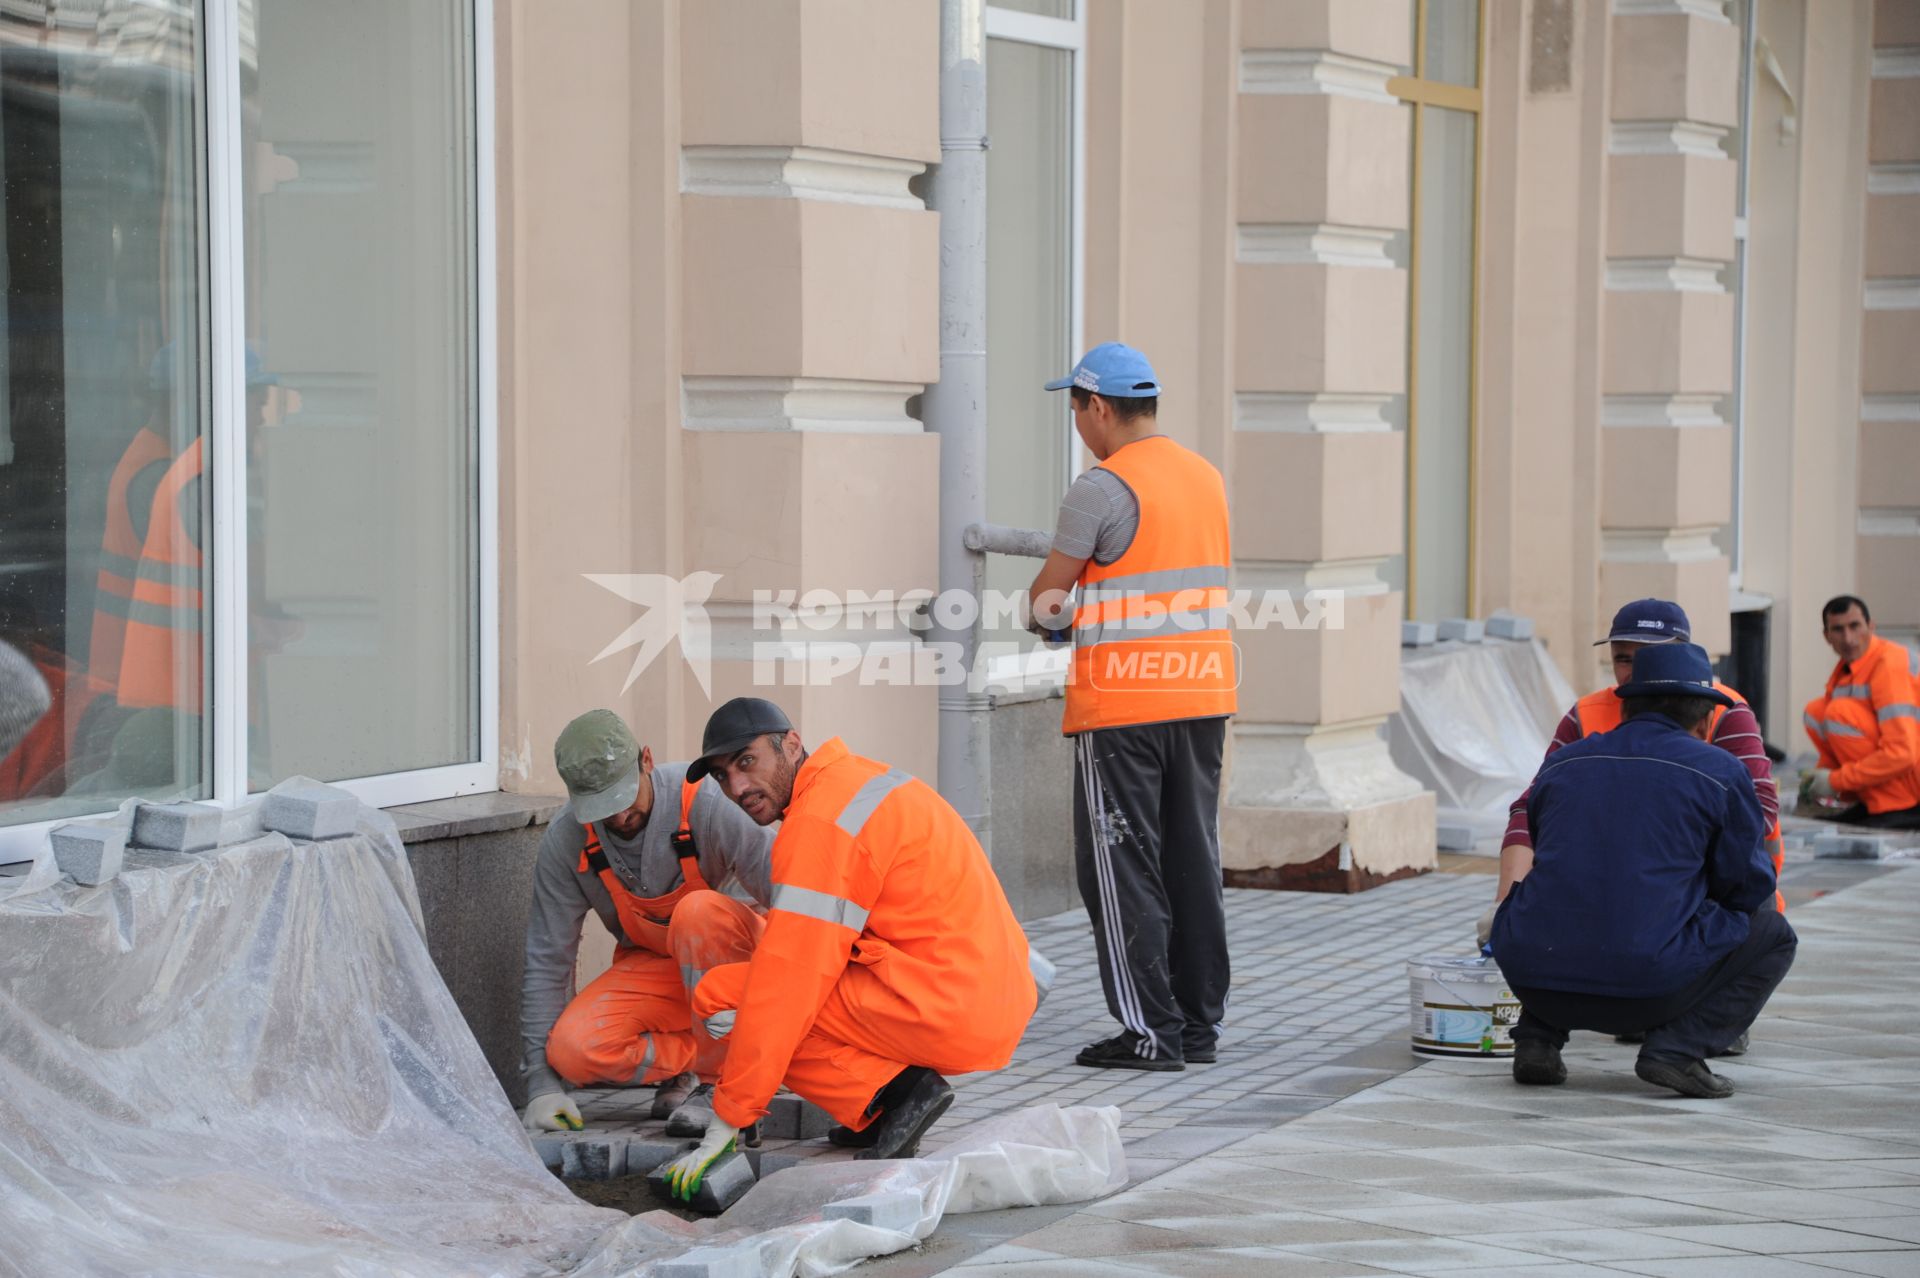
{"points": [[890, 957]]}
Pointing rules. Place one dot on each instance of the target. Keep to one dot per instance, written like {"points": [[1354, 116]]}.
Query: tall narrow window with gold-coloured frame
{"points": [[1445, 95]]}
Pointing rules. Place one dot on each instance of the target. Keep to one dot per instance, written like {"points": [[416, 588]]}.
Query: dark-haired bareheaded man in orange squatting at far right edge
{"points": [[1867, 724]]}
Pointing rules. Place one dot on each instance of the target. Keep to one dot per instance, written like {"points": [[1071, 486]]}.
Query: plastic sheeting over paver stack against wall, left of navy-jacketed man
{"points": [[1474, 724]]}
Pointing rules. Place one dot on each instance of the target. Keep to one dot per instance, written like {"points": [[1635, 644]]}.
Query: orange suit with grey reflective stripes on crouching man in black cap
{"points": [[875, 870]]}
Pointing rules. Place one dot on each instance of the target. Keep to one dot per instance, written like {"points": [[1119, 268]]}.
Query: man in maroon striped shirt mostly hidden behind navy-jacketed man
{"points": [[1735, 730]]}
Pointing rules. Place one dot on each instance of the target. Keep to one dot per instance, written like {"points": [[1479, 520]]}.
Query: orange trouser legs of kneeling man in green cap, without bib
{"points": [[635, 1026]]}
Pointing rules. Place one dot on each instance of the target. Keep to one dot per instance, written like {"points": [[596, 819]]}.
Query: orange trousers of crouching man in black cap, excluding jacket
{"points": [[855, 1049]]}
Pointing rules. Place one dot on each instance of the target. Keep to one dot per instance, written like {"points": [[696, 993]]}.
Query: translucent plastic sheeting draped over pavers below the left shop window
{"points": [[247, 1060]]}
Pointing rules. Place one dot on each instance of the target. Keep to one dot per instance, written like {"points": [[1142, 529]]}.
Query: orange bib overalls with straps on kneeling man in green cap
{"points": [[633, 1024]]}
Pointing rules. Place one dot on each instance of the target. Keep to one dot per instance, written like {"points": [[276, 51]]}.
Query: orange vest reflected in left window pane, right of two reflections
{"points": [[160, 659]]}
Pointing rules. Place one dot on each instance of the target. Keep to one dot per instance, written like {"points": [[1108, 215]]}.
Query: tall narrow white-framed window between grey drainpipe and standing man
{"points": [[1032, 273]]}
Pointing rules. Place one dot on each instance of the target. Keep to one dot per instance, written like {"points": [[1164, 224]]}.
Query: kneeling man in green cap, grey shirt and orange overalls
{"points": [[644, 847]]}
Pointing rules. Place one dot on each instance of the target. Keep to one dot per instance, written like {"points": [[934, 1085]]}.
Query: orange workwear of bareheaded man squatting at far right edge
{"points": [[1867, 728]]}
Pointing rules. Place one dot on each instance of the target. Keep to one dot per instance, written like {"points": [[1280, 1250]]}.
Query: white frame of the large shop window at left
{"points": [[228, 713]]}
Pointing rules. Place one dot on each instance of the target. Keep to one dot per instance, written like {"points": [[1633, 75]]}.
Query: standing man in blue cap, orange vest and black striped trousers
{"points": [[1145, 538]]}
